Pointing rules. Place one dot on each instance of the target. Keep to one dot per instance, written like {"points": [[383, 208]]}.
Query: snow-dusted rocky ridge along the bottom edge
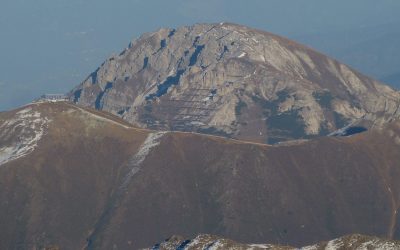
{"points": [[350, 242]]}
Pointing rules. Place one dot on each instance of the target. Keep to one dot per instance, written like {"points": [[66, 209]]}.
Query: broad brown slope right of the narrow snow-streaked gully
{"points": [[291, 194]]}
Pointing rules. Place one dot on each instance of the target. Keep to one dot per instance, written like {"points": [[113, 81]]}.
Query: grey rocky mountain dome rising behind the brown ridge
{"points": [[234, 81]]}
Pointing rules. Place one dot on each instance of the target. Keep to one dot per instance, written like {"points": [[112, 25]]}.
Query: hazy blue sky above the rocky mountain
{"points": [[50, 46]]}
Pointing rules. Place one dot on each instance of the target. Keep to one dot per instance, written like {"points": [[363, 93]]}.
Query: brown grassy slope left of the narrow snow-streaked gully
{"points": [[56, 194]]}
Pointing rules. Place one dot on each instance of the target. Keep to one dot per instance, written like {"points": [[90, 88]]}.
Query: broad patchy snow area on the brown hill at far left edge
{"points": [[21, 134]]}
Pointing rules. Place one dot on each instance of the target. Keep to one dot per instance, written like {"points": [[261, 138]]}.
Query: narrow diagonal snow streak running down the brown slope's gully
{"points": [[152, 140]]}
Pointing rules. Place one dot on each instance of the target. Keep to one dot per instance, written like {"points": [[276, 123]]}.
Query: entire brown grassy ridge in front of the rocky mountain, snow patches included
{"points": [[77, 178]]}
